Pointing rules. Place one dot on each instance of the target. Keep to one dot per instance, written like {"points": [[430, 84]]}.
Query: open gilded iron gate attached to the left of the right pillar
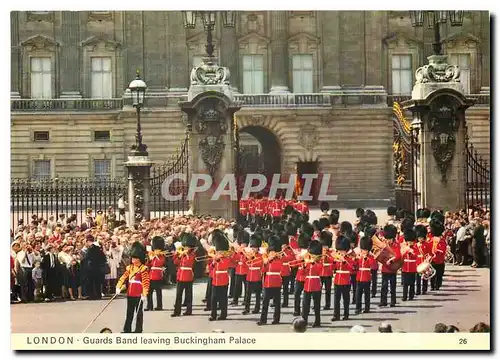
{"points": [[406, 154]]}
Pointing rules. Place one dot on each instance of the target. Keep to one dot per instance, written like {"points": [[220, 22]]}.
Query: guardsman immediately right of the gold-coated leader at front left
{"points": [[156, 265]]}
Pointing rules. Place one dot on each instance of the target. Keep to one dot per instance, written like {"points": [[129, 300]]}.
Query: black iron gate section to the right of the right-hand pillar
{"points": [[477, 175]]}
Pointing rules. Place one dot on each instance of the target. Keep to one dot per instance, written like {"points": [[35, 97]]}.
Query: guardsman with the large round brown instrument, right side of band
{"points": [[388, 274]]}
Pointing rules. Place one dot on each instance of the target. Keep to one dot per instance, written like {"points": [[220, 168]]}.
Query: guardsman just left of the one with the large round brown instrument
{"points": [[363, 275]]}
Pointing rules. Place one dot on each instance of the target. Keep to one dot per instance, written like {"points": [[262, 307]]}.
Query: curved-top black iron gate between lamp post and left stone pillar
{"points": [[178, 164]]}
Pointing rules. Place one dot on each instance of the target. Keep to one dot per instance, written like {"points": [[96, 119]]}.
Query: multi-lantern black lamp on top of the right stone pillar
{"points": [[434, 20]]}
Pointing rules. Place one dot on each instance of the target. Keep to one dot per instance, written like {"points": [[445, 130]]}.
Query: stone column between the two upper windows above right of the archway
{"points": [[279, 52]]}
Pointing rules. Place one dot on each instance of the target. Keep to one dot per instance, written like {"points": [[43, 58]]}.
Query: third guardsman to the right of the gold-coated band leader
{"points": [[221, 264]]}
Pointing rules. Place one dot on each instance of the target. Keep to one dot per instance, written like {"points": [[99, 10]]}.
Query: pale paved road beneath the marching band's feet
{"points": [[463, 301]]}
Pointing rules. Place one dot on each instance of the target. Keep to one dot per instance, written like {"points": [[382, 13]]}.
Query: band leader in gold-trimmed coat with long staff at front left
{"points": [[136, 278]]}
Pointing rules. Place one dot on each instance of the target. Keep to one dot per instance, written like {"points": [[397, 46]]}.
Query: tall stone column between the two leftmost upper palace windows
{"points": [[70, 55]]}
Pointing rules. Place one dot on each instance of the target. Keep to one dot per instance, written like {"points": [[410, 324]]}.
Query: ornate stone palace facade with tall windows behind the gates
{"points": [[71, 115]]}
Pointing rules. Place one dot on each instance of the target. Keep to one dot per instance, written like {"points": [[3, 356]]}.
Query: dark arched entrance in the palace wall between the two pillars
{"points": [[259, 153]]}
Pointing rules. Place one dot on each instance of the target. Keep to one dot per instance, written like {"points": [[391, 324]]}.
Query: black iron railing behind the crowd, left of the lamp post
{"points": [[67, 196]]}
